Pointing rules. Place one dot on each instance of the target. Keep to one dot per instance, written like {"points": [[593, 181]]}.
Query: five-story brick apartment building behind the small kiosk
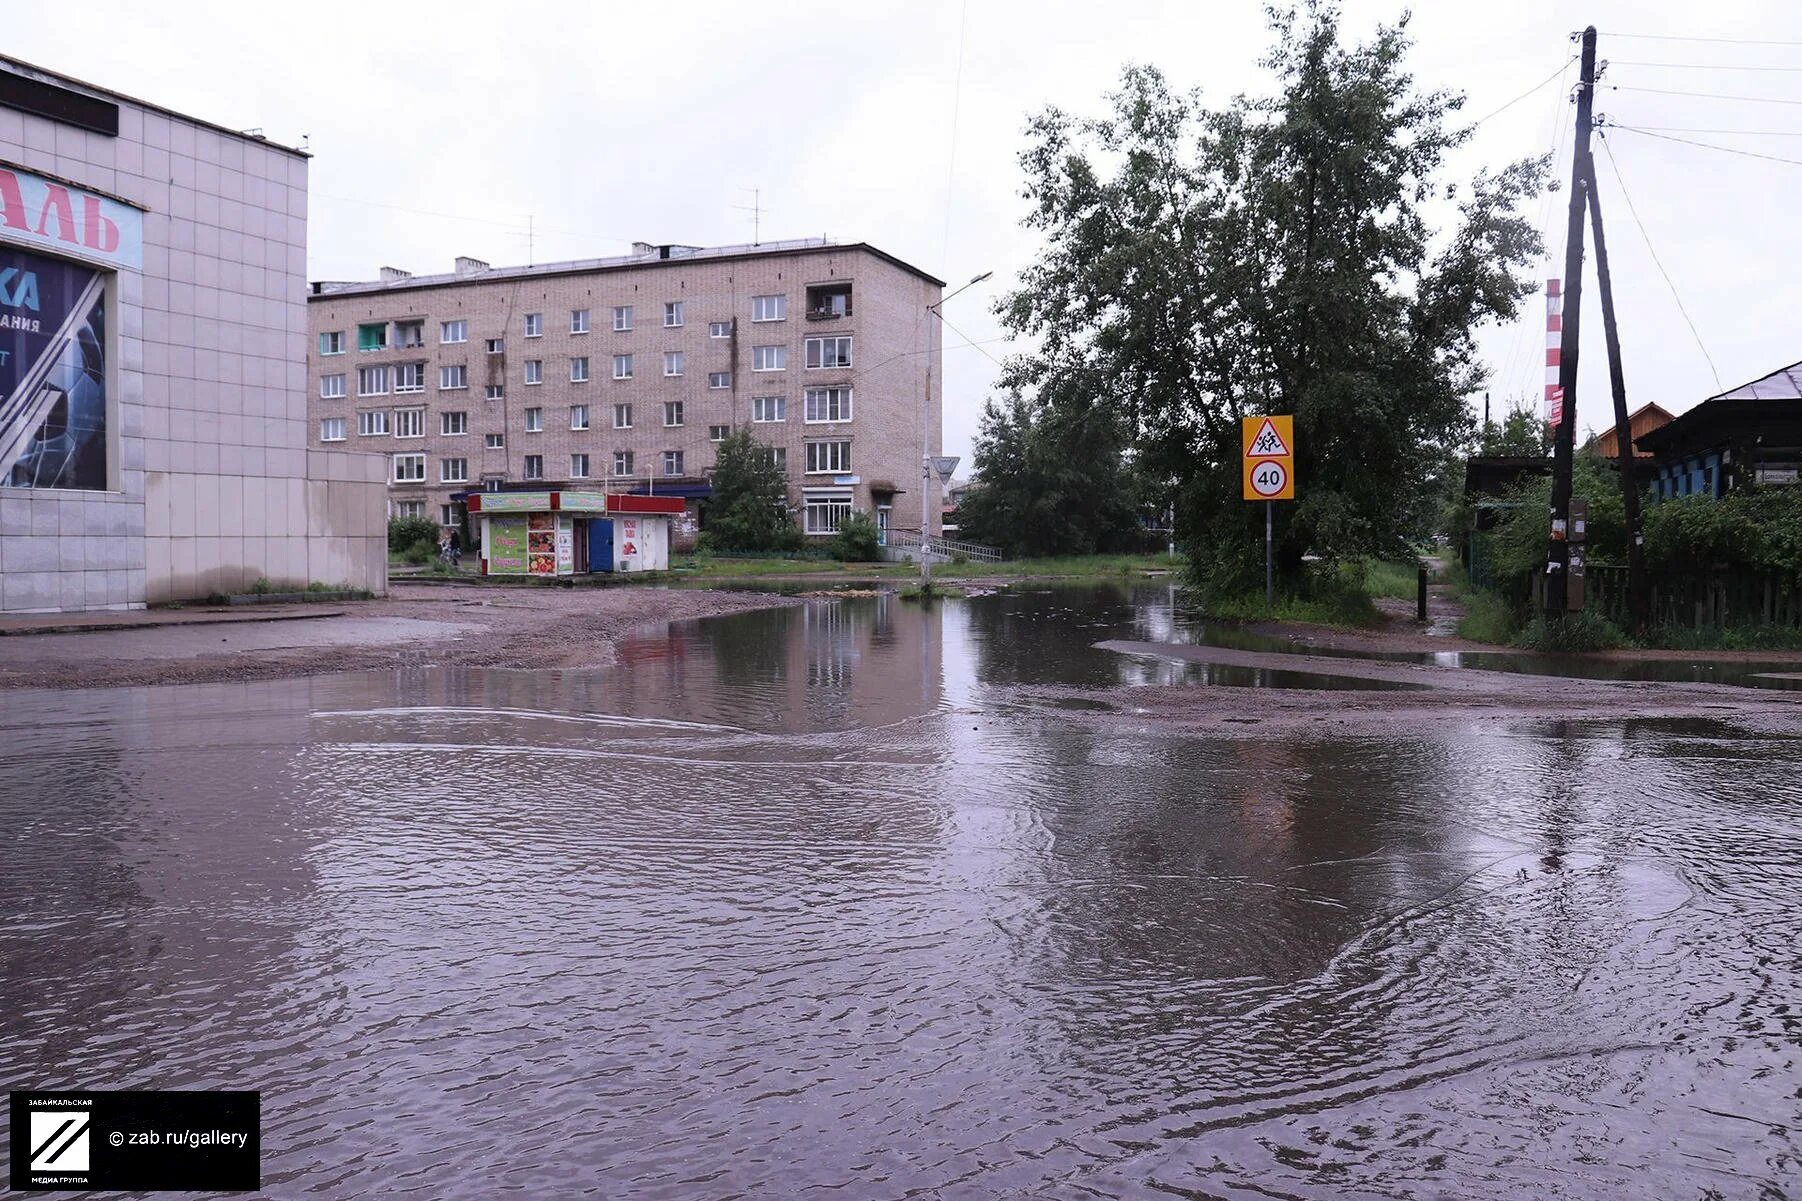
{"points": [[626, 372]]}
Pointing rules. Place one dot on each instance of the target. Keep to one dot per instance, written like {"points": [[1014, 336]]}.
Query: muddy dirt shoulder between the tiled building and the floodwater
{"points": [[417, 627]]}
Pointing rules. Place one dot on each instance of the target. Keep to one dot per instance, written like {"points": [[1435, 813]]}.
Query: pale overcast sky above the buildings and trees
{"points": [[439, 129]]}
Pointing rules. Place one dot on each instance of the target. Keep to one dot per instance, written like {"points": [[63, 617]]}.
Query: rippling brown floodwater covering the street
{"points": [[837, 901]]}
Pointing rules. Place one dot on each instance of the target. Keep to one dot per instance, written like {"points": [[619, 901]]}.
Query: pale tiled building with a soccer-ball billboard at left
{"points": [[154, 363]]}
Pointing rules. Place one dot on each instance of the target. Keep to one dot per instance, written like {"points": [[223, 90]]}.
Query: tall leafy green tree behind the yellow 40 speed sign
{"points": [[1273, 255]]}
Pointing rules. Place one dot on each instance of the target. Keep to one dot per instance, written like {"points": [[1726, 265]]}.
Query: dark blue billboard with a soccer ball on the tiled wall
{"points": [[53, 374]]}
